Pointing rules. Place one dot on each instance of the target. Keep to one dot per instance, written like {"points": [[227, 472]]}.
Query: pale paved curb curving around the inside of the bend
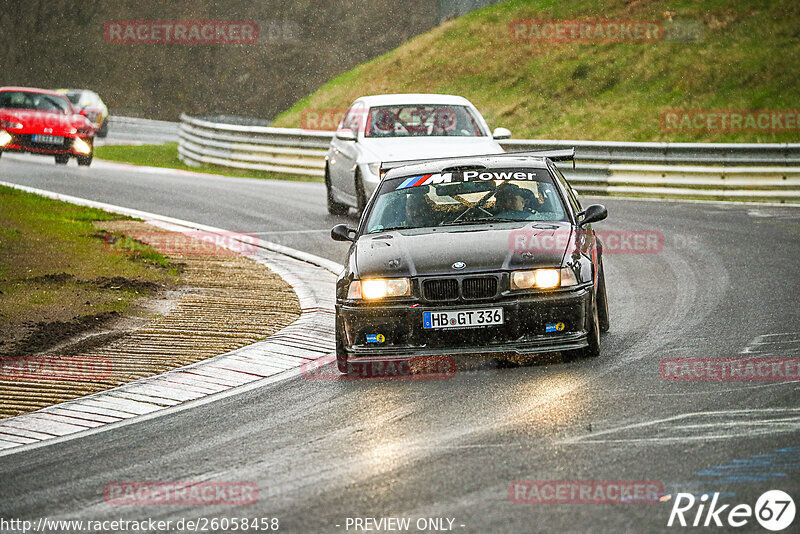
{"points": [[276, 358]]}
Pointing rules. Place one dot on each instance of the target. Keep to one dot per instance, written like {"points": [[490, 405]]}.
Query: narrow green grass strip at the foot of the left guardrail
{"points": [[166, 156]]}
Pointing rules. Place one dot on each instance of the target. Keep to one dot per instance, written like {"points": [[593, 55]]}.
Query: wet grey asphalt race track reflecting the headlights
{"points": [[725, 284]]}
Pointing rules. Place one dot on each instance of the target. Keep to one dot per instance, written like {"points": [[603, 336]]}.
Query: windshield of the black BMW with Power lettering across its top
{"points": [[463, 198]]}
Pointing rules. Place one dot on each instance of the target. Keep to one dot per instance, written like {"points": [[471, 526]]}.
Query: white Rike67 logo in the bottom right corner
{"points": [[774, 510]]}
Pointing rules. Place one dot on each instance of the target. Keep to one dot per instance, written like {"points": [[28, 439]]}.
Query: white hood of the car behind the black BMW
{"points": [[395, 149]]}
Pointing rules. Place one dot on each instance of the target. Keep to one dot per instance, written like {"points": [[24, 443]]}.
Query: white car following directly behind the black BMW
{"points": [[386, 128]]}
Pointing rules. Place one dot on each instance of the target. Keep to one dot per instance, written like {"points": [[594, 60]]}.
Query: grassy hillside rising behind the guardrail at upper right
{"points": [[743, 58]]}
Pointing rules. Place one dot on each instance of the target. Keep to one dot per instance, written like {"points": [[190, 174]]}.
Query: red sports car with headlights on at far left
{"points": [[44, 122]]}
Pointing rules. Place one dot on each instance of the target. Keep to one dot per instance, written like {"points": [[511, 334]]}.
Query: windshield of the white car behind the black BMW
{"points": [[422, 121]]}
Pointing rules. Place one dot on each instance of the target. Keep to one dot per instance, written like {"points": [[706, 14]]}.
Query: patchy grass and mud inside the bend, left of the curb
{"points": [[58, 276]]}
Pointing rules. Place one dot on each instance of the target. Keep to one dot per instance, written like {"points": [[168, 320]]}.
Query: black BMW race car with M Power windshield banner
{"points": [[490, 255]]}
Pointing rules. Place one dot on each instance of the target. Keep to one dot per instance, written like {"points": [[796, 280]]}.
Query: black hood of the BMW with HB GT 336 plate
{"points": [[482, 248]]}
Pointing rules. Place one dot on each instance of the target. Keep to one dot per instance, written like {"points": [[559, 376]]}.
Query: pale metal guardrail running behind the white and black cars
{"points": [[714, 171]]}
